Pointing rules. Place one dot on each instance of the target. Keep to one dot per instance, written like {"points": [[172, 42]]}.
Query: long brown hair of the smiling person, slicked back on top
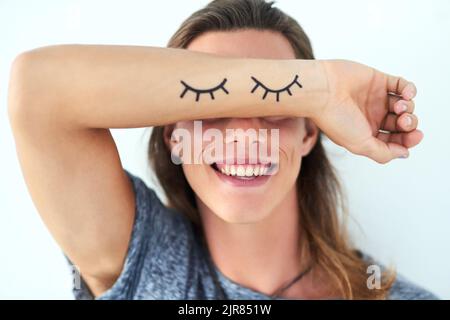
{"points": [[321, 200]]}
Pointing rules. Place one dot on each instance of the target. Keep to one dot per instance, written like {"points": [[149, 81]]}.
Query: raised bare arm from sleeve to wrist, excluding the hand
{"points": [[63, 99]]}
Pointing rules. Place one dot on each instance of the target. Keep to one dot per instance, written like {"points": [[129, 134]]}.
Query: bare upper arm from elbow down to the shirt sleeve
{"points": [[74, 176]]}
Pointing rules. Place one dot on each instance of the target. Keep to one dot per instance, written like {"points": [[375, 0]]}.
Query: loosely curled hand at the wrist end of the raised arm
{"points": [[362, 101]]}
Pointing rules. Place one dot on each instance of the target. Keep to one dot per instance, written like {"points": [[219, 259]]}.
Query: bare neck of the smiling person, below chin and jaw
{"points": [[262, 256]]}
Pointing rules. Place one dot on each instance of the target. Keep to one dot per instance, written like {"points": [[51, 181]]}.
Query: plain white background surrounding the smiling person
{"points": [[402, 209]]}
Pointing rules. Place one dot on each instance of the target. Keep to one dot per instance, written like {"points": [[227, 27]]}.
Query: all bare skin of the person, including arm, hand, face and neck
{"points": [[61, 109]]}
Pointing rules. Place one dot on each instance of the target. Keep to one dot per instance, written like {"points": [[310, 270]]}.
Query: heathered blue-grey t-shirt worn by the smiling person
{"points": [[167, 260]]}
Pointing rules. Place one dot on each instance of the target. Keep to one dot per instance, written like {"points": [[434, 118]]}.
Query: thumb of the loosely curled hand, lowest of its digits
{"points": [[383, 152]]}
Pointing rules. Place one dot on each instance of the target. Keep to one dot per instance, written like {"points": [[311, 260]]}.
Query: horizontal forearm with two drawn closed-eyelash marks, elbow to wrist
{"points": [[103, 86]]}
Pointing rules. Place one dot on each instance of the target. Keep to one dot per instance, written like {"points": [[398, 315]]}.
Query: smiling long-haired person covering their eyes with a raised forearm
{"points": [[230, 229]]}
